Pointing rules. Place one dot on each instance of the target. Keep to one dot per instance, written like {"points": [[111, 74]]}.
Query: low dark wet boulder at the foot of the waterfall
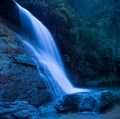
{"points": [[86, 101]]}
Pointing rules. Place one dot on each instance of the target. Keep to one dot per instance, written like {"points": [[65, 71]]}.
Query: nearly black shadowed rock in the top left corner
{"points": [[10, 12]]}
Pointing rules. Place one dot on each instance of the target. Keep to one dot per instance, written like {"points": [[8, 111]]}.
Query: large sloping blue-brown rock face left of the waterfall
{"points": [[19, 78]]}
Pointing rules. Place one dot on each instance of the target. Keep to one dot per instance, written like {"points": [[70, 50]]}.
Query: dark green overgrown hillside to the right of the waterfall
{"points": [[87, 34]]}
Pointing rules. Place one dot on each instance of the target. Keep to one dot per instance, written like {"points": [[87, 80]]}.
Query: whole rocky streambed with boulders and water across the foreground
{"points": [[81, 105]]}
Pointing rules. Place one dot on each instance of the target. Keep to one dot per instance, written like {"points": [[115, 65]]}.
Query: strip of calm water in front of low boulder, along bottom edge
{"points": [[110, 114]]}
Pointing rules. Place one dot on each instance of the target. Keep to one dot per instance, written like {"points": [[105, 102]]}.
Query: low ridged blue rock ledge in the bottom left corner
{"points": [[18, 110]]}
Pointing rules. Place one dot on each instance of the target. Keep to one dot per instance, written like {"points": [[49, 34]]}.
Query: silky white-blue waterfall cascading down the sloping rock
{"points": [[41, 46]]}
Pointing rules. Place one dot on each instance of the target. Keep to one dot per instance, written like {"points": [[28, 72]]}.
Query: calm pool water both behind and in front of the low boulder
{"points": [[113, 113]]}
